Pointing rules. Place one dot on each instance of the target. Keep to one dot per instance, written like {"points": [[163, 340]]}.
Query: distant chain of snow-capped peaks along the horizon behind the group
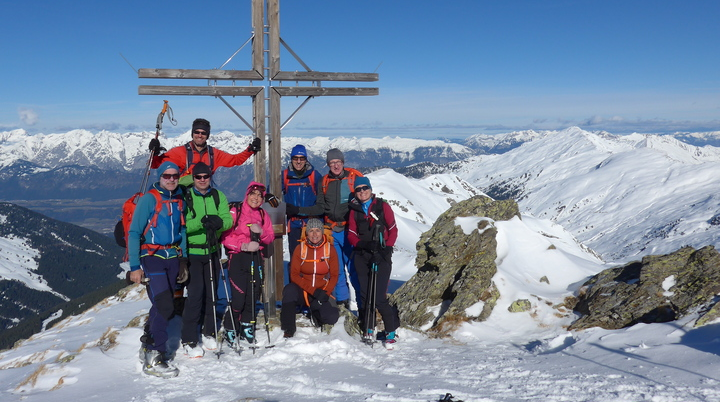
{"points": [[127, 151]]}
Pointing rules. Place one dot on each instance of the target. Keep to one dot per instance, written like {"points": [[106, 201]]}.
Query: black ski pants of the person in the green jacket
{"points": [[199, 312]]}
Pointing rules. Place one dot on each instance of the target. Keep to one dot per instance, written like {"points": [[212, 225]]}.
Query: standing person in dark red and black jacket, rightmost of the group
{"points": [[373, 232]]}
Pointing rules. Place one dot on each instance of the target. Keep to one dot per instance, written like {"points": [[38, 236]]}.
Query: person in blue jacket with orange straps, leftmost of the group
{"points": [[156, 242]]}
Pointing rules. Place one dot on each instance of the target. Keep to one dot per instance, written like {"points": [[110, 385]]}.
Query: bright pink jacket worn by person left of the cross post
{"points": [[239, 234]]}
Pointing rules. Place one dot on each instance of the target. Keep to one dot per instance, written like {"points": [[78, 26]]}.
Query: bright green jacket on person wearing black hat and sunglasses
{"points": [[198, 206]]}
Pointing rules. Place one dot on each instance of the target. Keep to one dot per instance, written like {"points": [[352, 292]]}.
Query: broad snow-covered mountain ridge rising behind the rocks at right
{"points": [[622, 196]]}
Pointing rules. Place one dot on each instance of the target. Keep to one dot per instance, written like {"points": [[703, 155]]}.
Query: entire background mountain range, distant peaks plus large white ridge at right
{"points": [[623, 196]]}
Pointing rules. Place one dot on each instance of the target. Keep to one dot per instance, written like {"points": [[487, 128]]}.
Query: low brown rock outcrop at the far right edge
{"points": [[657, 289]]}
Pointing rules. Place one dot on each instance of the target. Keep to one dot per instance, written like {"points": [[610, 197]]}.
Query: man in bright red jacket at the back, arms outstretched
{"points": [[197, 150]]}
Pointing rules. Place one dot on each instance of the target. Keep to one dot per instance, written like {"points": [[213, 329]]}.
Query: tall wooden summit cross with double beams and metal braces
{"points": [[265, 64]]}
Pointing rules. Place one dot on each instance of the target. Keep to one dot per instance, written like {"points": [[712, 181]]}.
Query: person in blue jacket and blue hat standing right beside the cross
{"points": [[300, 184]]}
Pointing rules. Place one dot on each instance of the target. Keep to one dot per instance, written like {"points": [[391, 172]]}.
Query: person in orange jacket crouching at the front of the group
{"points": [[313, 276]]}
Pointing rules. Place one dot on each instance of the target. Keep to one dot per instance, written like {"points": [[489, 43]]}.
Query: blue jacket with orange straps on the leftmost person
{"points": [[169, 230]]}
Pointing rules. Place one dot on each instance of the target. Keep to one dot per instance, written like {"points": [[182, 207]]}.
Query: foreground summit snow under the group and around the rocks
{"points": [[510, 357]]}
